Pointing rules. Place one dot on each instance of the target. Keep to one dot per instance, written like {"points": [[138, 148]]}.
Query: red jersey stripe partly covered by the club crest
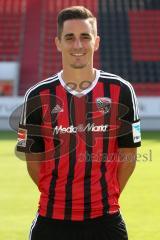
{"points": [[96, 191]]}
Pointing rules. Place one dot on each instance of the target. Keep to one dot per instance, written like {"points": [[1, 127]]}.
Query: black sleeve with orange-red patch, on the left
{"points": [[30, 139]]}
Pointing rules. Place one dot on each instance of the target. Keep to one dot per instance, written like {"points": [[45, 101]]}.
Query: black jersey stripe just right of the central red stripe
{"points": [[88, 166]]}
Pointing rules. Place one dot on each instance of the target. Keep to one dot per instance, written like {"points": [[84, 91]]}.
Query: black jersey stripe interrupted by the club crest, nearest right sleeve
{"points": [[104, 154]]}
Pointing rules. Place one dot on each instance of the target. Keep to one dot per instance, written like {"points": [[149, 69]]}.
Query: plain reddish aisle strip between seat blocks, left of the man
{"points": [[31, 46]]}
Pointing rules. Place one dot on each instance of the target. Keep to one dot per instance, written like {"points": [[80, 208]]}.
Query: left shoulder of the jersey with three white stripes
{"points": [[40, 86]]}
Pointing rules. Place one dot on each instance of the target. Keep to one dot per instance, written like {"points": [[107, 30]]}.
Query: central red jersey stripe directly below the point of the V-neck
{"points": [[79, 172]]}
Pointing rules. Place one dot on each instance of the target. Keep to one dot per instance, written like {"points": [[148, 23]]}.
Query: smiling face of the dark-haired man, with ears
{"points": [[77, 44]]}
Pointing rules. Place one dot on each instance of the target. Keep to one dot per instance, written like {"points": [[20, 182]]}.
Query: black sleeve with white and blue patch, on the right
{"points": [[129, 128]]}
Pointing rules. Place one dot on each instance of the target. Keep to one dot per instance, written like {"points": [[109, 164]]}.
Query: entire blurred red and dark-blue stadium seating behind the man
{"points": [[129, 30]]}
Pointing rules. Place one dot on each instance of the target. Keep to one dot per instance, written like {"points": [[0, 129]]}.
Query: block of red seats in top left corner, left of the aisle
{"points": [[12, 18]]}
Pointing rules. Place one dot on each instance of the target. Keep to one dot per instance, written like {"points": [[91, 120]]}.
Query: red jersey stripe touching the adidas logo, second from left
{"points": [[63, 166]]}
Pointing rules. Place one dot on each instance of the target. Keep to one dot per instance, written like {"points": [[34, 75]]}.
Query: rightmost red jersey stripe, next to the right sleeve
{"points": [[111, 174]]}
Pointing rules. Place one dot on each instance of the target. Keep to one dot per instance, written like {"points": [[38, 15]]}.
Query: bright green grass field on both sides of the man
{"points": [[140, 201]]}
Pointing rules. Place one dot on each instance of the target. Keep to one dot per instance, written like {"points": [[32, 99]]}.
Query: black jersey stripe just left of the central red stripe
{"points": [[72, 158]]}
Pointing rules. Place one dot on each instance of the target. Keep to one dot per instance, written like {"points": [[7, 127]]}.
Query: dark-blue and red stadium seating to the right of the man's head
{"points": [[130, 42]]}
